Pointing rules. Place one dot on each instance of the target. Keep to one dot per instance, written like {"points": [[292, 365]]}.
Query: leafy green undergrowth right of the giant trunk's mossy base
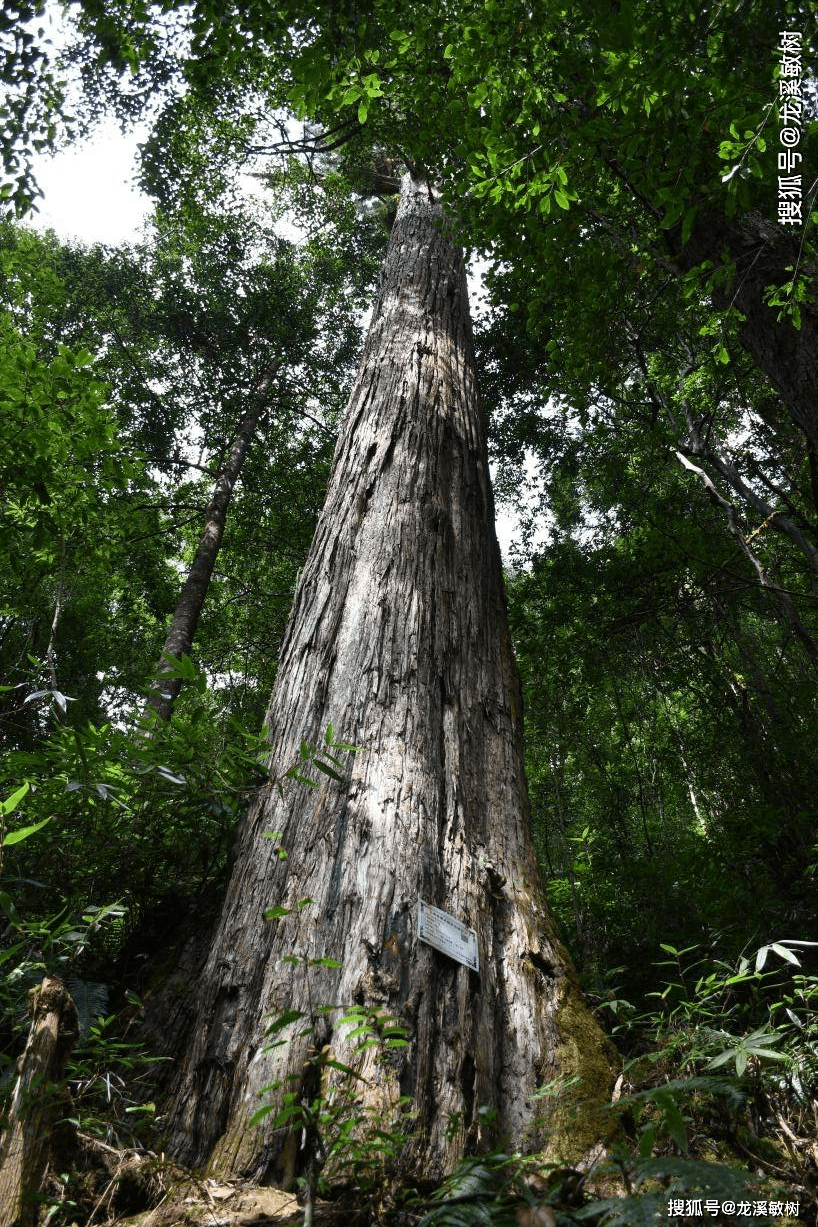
{"points": [[717, 1107]]}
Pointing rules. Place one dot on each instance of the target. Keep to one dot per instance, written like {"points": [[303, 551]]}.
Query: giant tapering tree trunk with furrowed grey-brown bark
{"points": [[399, 639]]}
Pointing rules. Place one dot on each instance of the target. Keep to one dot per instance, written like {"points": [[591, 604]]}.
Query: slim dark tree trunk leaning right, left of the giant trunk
{"points": [[194, 591]]}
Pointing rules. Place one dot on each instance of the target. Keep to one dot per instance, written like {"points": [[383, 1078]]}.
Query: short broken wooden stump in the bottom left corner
{"points": [[35, 1109]]}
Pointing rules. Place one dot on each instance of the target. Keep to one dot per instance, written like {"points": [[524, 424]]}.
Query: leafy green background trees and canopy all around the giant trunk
{"points": [[616, 166]]}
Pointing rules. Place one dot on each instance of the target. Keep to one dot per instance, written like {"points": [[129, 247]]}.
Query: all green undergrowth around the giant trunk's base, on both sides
{"points": [[716, 1105]]}
